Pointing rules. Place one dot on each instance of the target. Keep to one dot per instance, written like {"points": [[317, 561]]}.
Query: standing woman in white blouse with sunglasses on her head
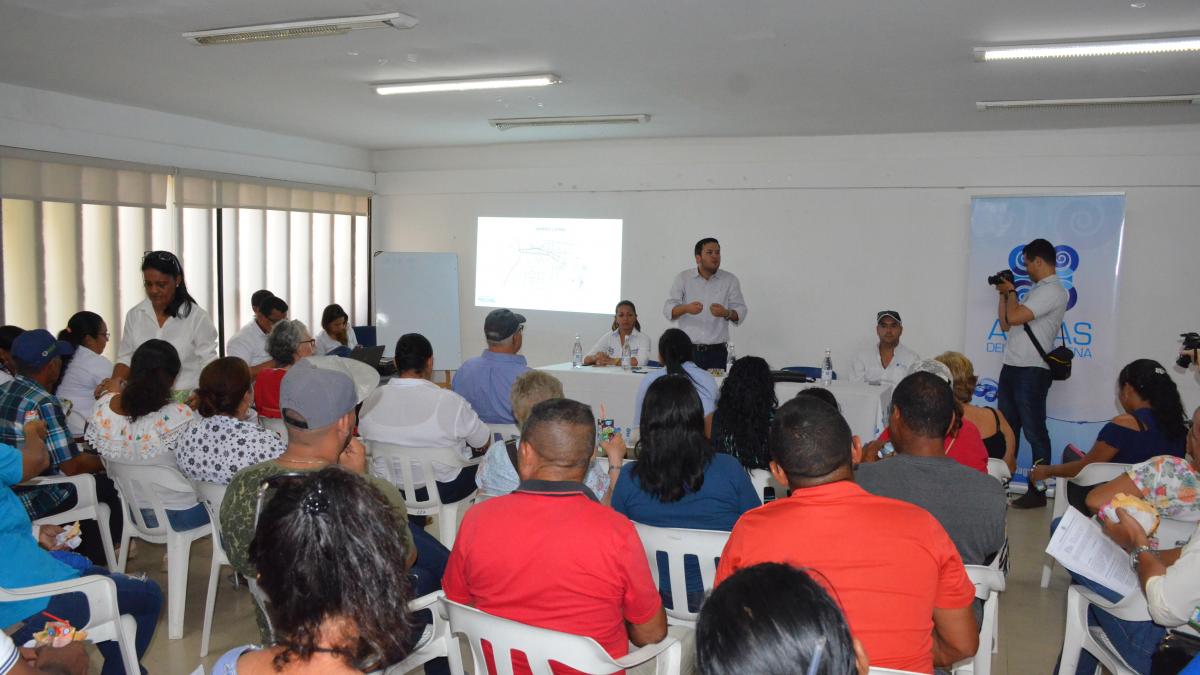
{"points": [[171, 314]]}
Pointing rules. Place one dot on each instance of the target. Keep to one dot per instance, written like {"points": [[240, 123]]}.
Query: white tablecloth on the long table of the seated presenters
{"points": [[614, 389]]}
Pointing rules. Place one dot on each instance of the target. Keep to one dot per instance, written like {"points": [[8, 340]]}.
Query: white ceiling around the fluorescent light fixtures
{"points": [[699, 68]]}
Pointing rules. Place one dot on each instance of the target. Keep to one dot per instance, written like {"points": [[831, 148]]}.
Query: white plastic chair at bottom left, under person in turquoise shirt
{"points": [[105, 623]]}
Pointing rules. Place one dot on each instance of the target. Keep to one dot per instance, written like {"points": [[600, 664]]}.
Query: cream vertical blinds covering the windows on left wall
{"points": [[74, 232]]}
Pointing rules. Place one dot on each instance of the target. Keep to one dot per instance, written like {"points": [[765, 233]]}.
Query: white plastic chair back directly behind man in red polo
{"points": [[542, 646]]}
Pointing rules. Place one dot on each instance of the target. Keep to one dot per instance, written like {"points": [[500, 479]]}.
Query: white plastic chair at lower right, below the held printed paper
{"points": [[1079, 636]]}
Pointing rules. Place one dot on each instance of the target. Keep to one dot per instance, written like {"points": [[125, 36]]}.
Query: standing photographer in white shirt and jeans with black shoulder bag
{"points": [[1025, 378]]}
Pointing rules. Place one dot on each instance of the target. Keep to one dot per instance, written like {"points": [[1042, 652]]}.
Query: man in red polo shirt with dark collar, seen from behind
{"points": [[550, 554]]}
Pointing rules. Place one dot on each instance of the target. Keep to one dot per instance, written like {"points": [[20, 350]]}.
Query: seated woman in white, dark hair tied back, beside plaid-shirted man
{"points": [[87, 371]]}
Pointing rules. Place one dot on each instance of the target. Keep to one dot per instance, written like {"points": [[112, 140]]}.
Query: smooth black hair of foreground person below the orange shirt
{"points": [[772, 619]]}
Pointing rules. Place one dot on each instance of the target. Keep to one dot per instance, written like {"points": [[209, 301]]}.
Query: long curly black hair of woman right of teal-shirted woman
{"points": [[745, 413]]}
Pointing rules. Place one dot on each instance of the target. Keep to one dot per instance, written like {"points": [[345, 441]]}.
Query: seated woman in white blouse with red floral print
{"points": [[137, 426]]}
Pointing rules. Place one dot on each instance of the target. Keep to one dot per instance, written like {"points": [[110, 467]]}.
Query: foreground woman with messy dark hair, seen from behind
{"points": [[328, 523]]}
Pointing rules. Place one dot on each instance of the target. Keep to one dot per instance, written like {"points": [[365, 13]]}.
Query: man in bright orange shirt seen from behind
{"points": [[889, 564]]}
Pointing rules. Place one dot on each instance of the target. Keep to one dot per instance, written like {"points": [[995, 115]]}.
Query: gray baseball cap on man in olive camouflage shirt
{"points": [[314, 398]]}
